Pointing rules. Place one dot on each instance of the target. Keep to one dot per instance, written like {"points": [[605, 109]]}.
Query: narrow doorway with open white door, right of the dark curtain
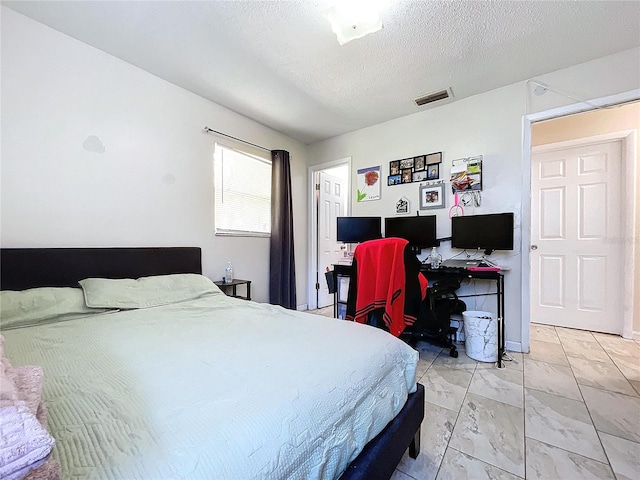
{"points": [[329, 187]]}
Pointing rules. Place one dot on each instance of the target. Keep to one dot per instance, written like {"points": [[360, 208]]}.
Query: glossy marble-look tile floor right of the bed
{"points": [[568, 410]]}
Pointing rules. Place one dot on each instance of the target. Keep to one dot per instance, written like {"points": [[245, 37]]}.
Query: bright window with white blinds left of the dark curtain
{"points": [[260, 202]]}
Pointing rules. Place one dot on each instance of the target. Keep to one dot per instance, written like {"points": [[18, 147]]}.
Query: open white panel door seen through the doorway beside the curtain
{"points": [[331, 204]]}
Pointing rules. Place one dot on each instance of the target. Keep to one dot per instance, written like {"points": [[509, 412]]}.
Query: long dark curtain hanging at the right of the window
{"points": [[282, 278]]}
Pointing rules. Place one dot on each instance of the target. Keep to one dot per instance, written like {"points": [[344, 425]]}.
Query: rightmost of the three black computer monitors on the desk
{"points": [[485, 232]]}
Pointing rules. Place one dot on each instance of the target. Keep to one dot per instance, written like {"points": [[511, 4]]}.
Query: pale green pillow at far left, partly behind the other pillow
{"points": [[35, 305]]}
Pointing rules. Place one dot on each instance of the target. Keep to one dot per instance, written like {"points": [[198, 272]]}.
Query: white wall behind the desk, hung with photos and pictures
{"points": [[490, 125]]}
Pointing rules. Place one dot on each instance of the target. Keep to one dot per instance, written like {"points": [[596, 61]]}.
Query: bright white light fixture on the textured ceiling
{"points": [[351, 19]]}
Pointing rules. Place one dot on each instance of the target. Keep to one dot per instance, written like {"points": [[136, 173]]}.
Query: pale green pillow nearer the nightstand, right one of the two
{"points": [[145, 291]]}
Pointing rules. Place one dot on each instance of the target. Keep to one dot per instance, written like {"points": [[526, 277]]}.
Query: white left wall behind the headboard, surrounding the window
{"points": [[153, 185]]}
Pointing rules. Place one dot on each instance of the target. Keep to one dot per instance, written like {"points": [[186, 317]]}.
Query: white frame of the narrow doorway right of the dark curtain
{"points": [[312, 301]]}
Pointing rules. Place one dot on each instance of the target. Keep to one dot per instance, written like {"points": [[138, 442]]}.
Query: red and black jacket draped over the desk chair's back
{"points": [[380, 279]]}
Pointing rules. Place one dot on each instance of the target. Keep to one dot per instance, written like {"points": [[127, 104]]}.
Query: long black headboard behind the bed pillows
{"points": [[22, 268]]}
